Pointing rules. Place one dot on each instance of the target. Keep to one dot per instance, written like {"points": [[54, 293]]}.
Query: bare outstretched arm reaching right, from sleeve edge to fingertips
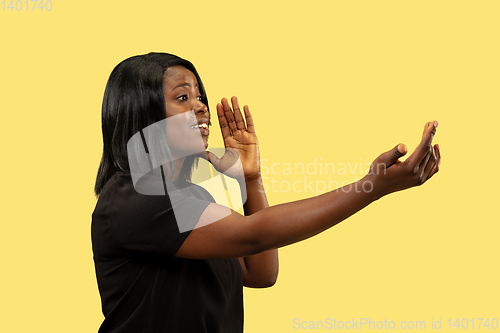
{"points": [[237, 236]]}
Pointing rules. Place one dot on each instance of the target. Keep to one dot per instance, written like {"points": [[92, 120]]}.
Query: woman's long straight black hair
{"points": [[133, 99]]}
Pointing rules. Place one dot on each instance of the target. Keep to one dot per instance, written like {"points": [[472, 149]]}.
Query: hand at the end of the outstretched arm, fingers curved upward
{"points": [[388, 174]]}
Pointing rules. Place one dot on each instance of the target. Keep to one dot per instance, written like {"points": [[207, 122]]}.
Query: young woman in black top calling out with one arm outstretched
{"points": [[153, 277]]}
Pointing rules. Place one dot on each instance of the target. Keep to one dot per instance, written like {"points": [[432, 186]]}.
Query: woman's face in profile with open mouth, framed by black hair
{"points": [[187, 131]]}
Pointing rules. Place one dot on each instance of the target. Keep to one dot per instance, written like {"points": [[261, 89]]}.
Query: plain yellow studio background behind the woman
{"points": [[334, 82]]}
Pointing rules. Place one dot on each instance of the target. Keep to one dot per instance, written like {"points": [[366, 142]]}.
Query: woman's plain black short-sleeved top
{"points": [[143, 286]]}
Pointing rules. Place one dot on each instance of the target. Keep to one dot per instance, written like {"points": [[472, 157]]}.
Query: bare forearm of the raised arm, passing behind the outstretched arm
{"points": [[262, 268]]}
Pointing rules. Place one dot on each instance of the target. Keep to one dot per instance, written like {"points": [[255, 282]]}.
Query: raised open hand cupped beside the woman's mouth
{"points": [[238, 138]]}
